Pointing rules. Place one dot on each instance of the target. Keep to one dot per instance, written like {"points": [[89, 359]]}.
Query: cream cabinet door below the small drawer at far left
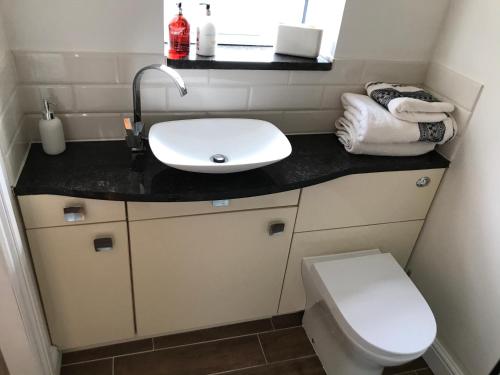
{"points": [[86, 293]]}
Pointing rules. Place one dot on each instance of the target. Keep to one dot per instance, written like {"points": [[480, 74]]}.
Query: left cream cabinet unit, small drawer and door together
{"points": [[80, 252]]}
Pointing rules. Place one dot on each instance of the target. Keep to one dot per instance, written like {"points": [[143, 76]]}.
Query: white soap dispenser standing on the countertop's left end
{"points": [[51, 131]]}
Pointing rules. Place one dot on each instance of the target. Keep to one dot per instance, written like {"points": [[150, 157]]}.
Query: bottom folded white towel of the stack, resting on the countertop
{"points": [[347, 136]]}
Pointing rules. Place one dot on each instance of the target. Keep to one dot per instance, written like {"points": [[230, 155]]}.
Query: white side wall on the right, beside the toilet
{"points": [[457, 258]]}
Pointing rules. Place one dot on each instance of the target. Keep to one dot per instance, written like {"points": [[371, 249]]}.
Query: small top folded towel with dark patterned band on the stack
{"points": [[408, 103]]}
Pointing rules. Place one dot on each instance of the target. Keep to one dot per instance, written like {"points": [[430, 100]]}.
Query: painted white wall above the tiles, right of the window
{"points": [[390, 29]]}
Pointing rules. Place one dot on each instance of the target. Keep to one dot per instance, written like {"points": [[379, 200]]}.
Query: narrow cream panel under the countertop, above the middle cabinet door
{"points": [[154, 210]]}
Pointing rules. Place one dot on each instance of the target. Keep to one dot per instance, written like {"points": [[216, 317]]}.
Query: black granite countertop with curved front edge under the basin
{"points": [[104, 170]]}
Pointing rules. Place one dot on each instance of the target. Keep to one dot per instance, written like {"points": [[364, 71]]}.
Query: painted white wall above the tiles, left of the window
{"points": [[85, 25]]}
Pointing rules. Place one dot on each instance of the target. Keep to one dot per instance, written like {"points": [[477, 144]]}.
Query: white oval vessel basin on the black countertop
{"points": [[218, 145]]}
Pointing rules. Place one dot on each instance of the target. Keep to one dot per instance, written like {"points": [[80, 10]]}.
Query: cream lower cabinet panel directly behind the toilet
{"points": [[396, 238]]}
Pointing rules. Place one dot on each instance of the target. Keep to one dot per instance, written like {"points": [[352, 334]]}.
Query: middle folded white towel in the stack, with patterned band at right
{"points": [[376, 125]]}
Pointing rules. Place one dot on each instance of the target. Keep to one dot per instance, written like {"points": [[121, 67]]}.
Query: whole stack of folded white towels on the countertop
{"points": [[394, 120]]}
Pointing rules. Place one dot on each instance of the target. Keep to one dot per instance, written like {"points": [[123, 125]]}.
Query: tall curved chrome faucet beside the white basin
{"points": [[135, 131]]}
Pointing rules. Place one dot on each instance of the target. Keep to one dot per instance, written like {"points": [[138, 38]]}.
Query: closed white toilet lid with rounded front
{"points": [[376, 304]]}
